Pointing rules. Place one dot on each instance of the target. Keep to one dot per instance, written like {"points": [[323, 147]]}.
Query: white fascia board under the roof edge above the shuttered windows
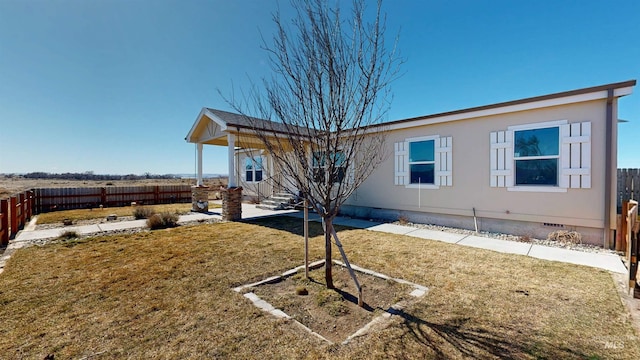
{"points": [[512, 108]]}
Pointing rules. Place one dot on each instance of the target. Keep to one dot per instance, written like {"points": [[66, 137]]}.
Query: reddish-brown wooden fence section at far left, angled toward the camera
{"points": [[14, 214]]}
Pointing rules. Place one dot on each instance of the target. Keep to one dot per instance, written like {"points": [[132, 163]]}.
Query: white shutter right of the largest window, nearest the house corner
{"points": [[575, 156]]}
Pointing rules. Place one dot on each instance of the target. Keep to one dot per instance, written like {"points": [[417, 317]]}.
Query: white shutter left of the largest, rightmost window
{"points": [[501, 158]]}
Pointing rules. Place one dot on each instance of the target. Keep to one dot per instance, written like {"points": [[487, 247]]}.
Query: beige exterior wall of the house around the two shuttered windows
{"points": [[496, 207]]}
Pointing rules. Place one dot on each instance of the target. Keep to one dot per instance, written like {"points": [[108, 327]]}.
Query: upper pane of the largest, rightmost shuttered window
{"points": [[537, 142]]}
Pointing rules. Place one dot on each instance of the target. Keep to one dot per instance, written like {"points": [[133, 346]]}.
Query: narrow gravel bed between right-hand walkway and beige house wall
{"points": [[493, 235]]}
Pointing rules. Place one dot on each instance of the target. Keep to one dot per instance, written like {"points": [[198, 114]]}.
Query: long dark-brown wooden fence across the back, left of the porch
{"points": [[52, 199]]}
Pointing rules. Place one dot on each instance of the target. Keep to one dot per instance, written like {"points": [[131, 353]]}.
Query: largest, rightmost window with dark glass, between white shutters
{"points": [[536, 153]]}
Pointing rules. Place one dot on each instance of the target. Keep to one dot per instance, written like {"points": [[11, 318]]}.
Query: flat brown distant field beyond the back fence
{"points": [[10, 186]]}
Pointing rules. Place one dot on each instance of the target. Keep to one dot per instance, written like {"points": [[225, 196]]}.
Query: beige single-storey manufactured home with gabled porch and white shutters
{"points": [[525, 167]]}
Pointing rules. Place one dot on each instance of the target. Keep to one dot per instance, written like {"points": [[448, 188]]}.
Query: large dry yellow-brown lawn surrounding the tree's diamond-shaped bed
{"points": [[167, 294]]}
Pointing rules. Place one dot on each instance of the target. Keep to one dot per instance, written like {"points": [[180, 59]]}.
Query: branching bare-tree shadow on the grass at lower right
{"points": [[455, 338]]}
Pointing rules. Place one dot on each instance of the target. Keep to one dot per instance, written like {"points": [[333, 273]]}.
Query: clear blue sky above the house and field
{"points": [[113, 86]]}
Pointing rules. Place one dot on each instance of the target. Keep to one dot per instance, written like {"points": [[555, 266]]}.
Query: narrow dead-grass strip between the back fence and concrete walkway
{"points": [[86, 214]]}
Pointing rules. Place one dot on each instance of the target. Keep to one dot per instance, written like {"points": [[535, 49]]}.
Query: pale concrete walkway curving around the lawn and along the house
{"points": [[609, 262]]}
